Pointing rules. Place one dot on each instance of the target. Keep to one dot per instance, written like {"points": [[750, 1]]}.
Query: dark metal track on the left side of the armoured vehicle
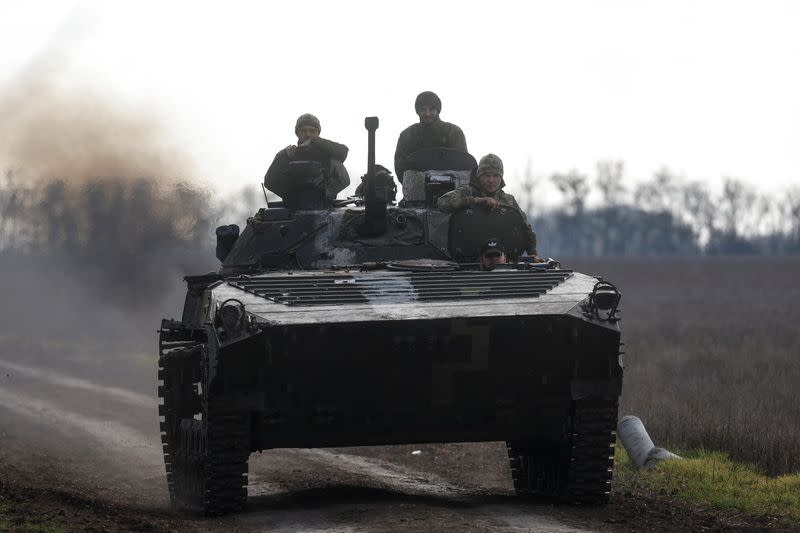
{"points": [[205, 457]]}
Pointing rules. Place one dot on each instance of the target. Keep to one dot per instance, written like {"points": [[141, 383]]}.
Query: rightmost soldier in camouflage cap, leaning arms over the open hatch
{"points": [[486, 188]]}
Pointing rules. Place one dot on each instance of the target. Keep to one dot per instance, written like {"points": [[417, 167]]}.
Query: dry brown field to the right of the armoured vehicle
{"points": [[712, 353]]}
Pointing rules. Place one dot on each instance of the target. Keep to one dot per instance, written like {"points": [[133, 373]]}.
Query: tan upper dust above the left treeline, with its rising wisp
{"points": [[56, 124]]}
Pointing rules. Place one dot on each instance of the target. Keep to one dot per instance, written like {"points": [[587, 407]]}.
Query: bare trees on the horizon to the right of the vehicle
{"points": [[664, 215]]}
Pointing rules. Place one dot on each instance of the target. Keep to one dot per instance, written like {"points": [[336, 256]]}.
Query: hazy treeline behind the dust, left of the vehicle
{"points": [[124, 218]]}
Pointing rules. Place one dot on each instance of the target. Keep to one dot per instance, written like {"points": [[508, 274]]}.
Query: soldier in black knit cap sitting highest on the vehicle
{"points": [[430, 132]]}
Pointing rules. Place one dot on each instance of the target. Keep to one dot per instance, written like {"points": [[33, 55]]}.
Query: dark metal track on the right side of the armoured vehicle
{"points": [[578, 470]]}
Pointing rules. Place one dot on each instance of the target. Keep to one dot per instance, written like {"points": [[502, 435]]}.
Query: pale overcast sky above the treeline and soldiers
{"points": [[708, 89]]}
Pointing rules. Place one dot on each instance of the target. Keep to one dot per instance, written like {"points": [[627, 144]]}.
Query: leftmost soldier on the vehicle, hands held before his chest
{"points": [[310, 147]]}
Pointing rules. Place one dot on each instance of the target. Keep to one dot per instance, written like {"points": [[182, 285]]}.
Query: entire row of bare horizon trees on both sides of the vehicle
{"points": [[136, 227]]}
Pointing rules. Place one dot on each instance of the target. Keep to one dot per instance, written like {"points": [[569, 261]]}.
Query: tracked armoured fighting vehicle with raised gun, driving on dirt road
{"points": [[372, 324]]}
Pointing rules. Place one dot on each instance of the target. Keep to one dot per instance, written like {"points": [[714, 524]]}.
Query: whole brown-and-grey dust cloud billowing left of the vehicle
{"points": [[99, 214]]}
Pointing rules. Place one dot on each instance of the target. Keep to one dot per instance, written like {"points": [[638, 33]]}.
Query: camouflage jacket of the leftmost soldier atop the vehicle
{"points": [[329, 153]]}
